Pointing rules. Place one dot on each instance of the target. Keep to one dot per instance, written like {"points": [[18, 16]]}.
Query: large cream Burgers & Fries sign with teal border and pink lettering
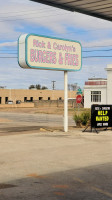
{"points": [[39, 52]]}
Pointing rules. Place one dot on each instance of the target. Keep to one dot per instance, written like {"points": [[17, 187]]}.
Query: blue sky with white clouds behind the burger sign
{"points": [[19, 17]]}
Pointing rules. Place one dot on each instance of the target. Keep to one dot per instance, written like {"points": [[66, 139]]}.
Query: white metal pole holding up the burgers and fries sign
{"points": [[65, 101]]}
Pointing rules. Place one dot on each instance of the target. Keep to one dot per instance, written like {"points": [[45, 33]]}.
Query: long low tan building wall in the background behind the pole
{"points": [[19, 94]]}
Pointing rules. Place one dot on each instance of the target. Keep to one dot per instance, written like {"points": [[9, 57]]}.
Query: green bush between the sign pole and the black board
{"points": [[82, 119]]}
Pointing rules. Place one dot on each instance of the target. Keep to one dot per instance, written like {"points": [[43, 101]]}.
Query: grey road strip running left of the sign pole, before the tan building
{"points": [[10, 121]]}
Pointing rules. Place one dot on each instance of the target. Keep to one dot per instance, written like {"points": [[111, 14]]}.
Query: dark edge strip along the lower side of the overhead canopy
{"points": [[64, 7]]}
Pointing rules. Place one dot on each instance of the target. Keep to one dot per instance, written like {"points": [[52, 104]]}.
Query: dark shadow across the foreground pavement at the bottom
{"points": [[91, 183]]}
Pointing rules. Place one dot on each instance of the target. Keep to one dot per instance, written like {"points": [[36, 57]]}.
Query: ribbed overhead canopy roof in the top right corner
{"points": [[97, 8]]}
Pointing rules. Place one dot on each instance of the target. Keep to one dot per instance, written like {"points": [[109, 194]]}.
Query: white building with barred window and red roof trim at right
{"points": [[98, 90]]}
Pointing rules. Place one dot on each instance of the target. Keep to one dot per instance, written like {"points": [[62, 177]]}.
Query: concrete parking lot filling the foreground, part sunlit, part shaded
{"points": [[53, 165]]}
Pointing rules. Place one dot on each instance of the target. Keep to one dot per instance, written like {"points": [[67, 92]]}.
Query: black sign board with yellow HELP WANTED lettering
{"points": [[101, 116]]}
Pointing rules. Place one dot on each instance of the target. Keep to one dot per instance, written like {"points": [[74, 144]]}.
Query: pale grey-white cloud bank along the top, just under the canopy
{"points": [[19, 13]]}
